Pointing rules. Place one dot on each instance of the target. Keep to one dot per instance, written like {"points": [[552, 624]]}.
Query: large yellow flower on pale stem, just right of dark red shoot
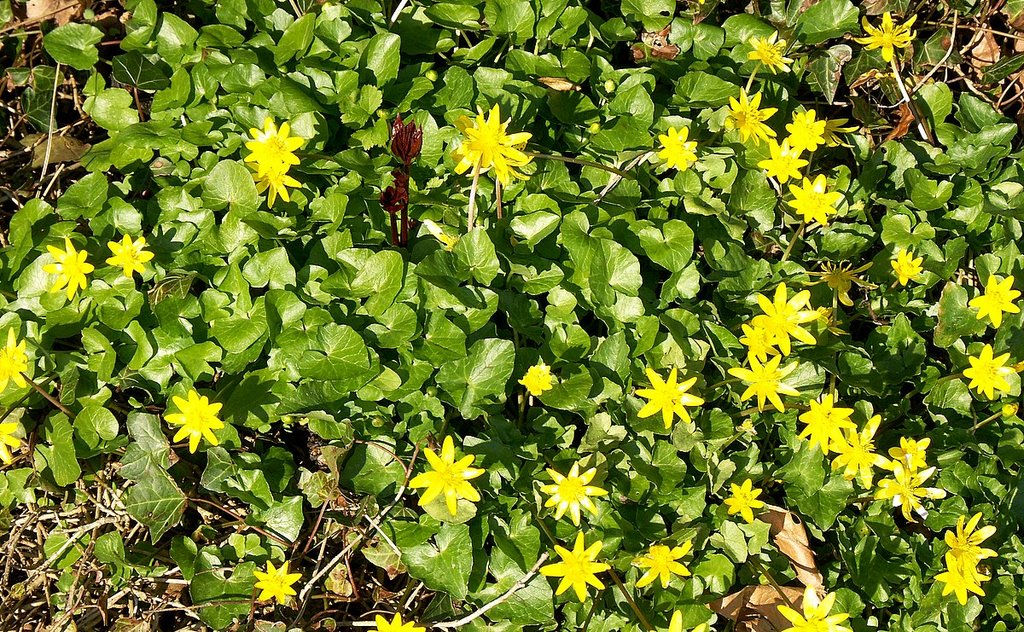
{"points": [[488, 145]]}
